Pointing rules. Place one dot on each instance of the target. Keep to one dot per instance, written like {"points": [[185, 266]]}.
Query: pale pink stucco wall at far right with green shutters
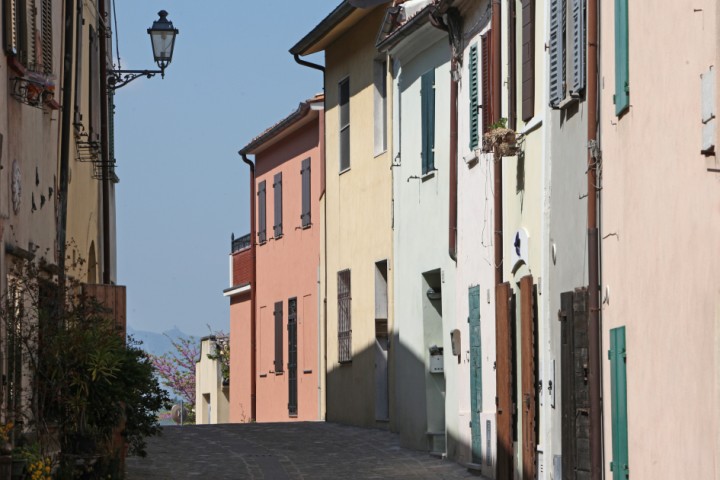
{"points": [[660, 236]]}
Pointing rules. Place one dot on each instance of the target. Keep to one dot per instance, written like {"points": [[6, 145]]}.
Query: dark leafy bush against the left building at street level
{"points": [[73, 377]]}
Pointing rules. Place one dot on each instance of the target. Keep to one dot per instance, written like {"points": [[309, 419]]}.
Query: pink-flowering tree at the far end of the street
{"points": [[177, 369]]}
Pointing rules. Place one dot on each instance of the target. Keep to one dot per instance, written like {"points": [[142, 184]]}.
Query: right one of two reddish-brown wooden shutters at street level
{"points": [[528, 376]]}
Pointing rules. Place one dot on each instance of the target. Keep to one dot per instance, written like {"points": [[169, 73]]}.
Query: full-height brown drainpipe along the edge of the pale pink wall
{"points": [[594, 334]]}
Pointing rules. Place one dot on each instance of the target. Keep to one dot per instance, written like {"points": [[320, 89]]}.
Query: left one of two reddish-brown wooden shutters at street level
{"points": [[504, 380]]}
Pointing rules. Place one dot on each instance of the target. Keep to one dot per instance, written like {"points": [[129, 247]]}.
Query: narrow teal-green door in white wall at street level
{"points": [[475, 372]]}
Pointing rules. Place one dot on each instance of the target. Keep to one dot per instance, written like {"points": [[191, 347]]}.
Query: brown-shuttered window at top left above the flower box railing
{"points": [[26, 38]]}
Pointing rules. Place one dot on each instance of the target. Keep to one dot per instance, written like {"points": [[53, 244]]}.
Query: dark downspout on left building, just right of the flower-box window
{"points": [[66, 130]]}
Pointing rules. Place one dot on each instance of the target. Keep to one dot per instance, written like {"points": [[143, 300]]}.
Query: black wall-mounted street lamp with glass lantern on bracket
{"points": [[162, 36]]}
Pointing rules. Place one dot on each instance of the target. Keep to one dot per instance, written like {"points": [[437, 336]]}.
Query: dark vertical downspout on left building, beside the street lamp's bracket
{"points": [[105, 147]]}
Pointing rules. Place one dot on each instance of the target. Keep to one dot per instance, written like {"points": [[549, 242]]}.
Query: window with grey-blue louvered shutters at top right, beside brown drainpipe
{"points": [[567, 51]]}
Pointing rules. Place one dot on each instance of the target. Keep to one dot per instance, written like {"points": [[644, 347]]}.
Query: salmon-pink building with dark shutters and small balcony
{"points": [[285, 374]]}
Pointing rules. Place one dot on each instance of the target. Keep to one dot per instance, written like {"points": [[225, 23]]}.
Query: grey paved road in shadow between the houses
{"points": [[283, 451]]}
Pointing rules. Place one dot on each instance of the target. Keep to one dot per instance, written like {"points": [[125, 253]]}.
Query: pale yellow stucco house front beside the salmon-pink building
{"points": [[358, 224]]}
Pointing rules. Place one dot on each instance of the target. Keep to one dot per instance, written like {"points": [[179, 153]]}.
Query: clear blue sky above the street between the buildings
{"points": [[183, 187]]}
